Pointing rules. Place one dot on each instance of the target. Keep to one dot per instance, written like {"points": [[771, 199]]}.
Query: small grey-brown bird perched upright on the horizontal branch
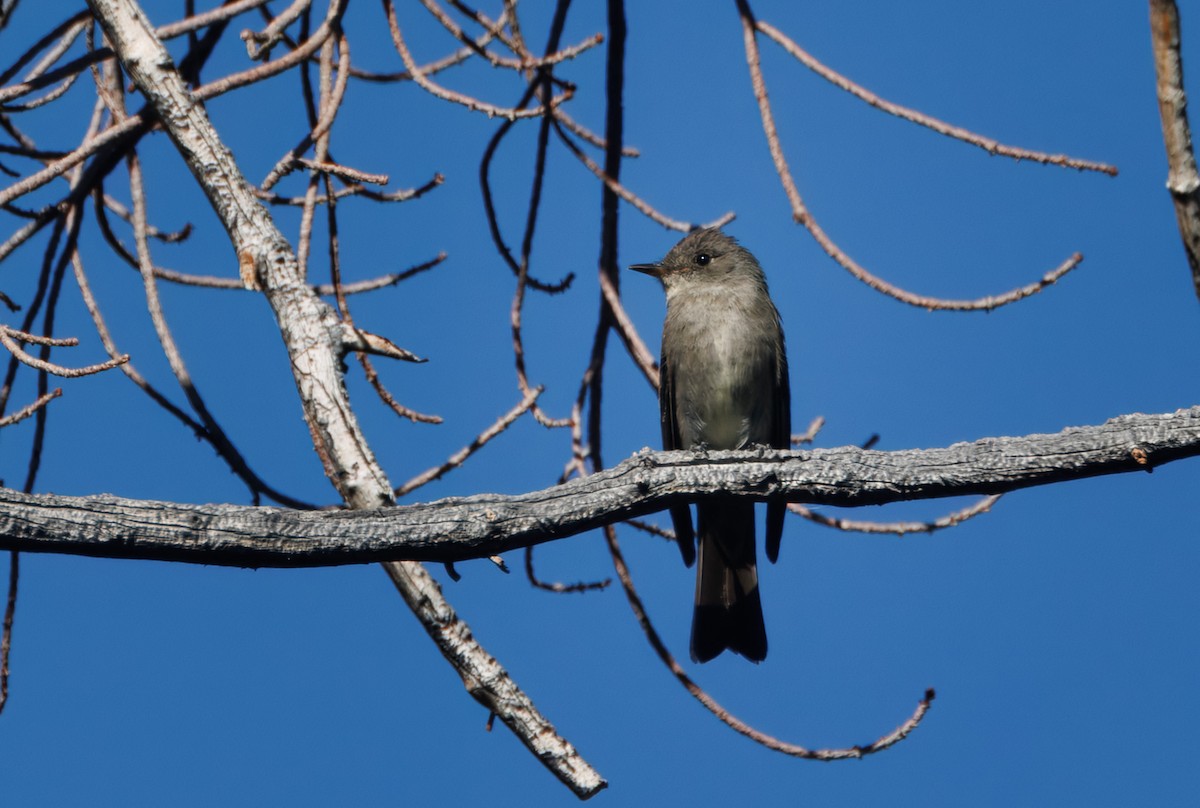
{"points": [[724, 386]]}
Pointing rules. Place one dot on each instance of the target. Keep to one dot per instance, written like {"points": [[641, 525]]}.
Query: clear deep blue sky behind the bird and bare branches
{"points": [[1059, 630]]}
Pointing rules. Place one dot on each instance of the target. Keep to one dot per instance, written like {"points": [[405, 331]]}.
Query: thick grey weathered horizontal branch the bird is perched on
{"points": [[485, 525]]}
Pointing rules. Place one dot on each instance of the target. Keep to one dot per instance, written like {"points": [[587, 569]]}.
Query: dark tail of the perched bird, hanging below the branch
{"points": [[729, 609]]}
